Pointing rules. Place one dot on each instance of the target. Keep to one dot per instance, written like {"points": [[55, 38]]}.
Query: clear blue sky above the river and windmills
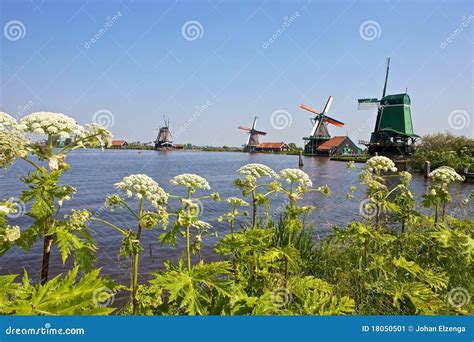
{"points": [[210, 66]]}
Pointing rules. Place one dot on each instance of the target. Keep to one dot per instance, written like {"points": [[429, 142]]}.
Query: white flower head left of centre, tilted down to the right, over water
{"points": [[143, 187]]}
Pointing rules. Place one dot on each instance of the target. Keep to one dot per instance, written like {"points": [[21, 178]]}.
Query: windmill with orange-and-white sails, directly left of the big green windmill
{"points": [[319, 133]]}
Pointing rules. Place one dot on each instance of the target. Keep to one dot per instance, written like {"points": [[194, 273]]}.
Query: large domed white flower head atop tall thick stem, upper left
{"points": [[48, 123]]}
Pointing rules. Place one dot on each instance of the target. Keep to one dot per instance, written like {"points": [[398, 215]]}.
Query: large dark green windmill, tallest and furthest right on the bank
{"points": [[393, 134]]}
